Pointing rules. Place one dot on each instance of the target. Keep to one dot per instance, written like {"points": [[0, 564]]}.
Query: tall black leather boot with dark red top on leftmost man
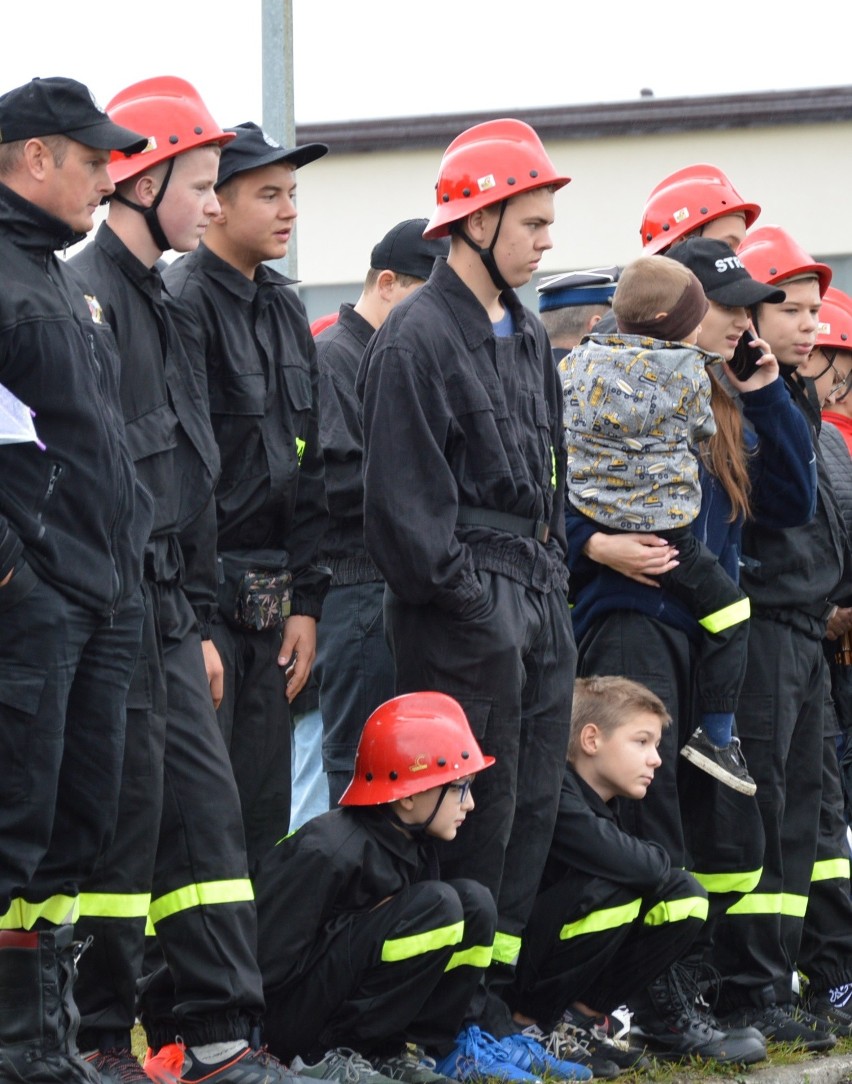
{"points": [[38, 1016]]}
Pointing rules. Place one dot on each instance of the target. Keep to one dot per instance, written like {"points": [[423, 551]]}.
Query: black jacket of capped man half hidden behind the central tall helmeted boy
{"points": [[340, 351]]}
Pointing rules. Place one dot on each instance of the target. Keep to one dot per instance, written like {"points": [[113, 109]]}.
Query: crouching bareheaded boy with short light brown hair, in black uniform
{"points": [[613, 918]]}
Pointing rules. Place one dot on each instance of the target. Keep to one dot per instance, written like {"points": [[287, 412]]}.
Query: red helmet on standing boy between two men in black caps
{"points": [[171, 112]]}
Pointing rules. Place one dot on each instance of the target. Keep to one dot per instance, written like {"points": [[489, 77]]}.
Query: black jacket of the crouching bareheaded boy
{"points": [[588, 841]]}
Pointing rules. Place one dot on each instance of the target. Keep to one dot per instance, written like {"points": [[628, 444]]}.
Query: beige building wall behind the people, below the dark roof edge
{"points": [[798, 174]]}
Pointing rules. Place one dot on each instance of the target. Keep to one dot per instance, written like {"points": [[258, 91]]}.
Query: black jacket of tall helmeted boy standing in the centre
{"points": [[455, 417]]}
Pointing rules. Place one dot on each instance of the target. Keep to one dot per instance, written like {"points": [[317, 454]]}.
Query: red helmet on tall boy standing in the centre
{"points": [[485, 165]]}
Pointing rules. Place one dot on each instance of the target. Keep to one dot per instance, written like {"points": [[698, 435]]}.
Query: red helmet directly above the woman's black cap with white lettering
{"points": [[687, 201]]}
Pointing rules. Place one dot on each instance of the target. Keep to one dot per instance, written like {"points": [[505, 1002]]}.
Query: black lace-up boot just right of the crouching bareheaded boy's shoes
{"points": [[673, 1029]]}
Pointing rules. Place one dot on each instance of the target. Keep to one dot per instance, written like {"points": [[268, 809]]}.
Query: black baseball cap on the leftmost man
{"points": [[61, 107]]}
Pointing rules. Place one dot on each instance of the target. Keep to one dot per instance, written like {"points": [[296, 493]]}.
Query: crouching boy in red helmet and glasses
{"points": [[363, 947]]}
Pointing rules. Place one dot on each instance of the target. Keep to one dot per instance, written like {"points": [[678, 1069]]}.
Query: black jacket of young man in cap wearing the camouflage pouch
{"points": [[251, 345]]}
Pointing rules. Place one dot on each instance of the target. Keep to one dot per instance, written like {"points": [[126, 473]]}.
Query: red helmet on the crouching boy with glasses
{"points": [[411, 744]]}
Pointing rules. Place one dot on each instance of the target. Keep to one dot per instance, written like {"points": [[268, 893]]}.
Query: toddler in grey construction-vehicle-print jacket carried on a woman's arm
{"points": [[635, 404]]}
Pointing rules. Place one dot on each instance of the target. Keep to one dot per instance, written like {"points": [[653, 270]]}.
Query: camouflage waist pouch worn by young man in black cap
{"points": [[255, 589]]}
